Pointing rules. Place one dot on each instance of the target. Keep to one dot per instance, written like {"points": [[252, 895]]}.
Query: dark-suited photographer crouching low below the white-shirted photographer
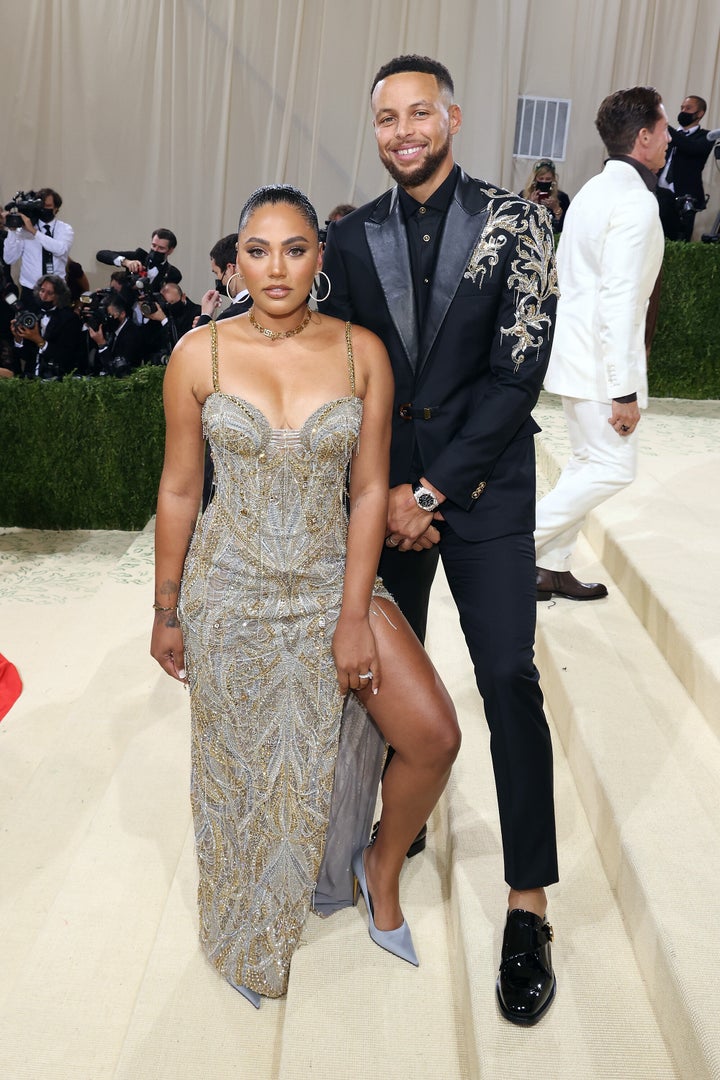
{"points": [[49, 339]]}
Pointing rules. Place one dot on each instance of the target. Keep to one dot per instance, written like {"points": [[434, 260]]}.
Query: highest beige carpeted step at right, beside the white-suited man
{"points": [[659, 538]]}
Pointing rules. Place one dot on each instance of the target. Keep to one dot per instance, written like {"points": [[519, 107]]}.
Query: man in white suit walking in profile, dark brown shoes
{"points": [[609, 259]]}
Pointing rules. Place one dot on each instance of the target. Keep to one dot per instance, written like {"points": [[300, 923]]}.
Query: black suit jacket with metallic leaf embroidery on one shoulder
{"points": [[480, 360]]}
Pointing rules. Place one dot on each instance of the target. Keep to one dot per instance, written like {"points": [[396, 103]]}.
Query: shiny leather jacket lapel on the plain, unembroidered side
{"points": [[388, 244]]}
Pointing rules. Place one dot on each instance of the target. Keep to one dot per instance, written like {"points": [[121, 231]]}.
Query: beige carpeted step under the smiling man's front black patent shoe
{"points": [[602, 1024]]}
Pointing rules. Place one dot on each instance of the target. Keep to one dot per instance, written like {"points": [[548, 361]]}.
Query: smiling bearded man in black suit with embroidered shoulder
{"points": [[458, 279]]}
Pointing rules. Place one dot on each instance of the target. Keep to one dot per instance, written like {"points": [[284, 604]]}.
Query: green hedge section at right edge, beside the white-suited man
{"points": [[685, 359]]}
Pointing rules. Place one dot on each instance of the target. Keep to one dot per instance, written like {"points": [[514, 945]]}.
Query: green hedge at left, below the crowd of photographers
{"points": [[81, 454]]}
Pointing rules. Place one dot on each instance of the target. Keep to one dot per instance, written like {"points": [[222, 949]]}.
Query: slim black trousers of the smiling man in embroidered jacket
{"points": [[494, 587]]}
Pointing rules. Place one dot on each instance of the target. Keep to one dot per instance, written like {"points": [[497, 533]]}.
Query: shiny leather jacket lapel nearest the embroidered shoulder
{"points": [[460, 236]]}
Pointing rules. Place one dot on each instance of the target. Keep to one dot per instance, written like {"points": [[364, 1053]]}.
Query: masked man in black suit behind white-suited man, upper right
{"points": [[681, 192]]}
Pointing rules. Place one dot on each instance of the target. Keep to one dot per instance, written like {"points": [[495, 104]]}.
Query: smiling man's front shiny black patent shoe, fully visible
{"points": [[526, 984]]}
